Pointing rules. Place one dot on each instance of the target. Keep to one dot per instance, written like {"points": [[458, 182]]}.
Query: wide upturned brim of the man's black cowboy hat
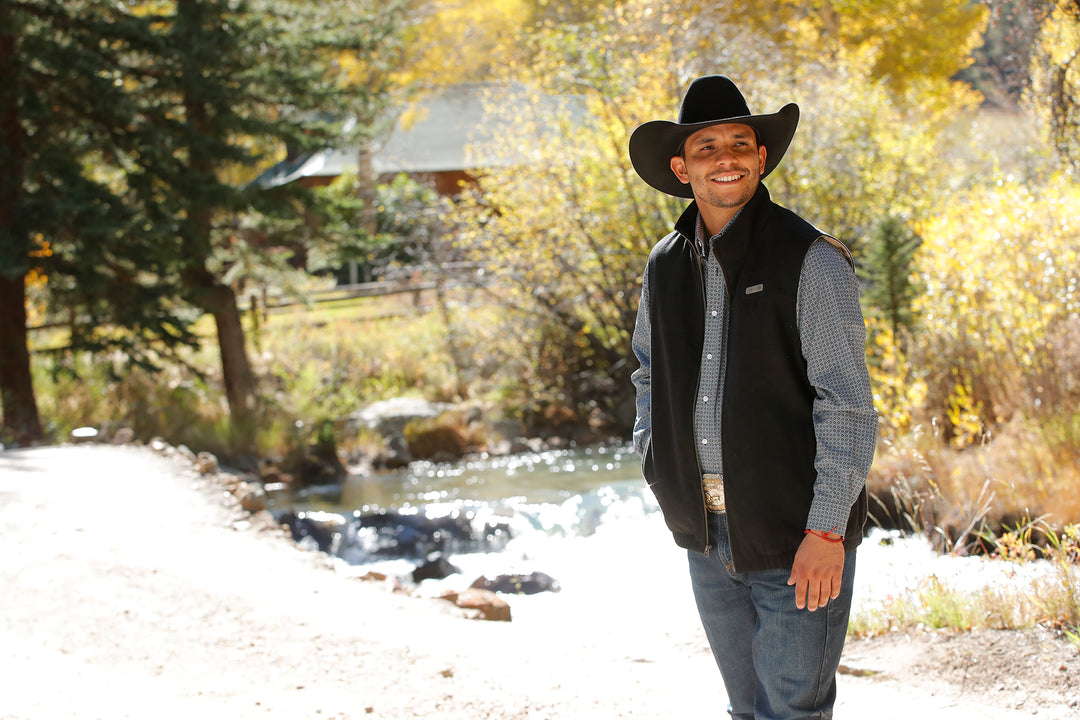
{"points": [[654, 144]]}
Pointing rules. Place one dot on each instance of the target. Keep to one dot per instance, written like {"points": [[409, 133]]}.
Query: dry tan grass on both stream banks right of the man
{"points": [[981, 500]]}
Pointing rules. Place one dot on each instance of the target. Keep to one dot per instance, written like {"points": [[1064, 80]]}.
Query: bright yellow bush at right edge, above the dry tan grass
{"points": [[1001, 318]]}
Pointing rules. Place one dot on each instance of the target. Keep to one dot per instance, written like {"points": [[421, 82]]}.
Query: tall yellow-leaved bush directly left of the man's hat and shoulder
{"points": [[564, 226]]}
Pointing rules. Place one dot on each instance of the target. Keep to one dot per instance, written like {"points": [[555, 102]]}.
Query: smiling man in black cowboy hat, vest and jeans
{"points": [[755, 419]]}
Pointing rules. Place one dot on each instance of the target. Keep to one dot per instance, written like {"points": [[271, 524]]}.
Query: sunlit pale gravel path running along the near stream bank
{"points": [[130, 588]]}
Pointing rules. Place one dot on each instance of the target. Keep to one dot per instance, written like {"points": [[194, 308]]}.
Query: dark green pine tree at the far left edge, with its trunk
{"points": [[65, 119]]}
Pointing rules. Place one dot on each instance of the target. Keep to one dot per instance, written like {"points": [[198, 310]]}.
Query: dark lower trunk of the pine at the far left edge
{"points": [[21, 419]]}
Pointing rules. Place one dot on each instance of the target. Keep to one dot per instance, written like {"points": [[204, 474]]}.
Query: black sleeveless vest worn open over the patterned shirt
{"points": [[767, 417]]}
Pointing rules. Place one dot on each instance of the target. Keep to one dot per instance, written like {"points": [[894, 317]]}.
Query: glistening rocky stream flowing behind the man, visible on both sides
{"points": [[584, 519]]}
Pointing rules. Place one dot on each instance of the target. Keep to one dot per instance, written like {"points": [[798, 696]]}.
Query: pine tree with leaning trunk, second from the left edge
{"points": [[229, 77]]}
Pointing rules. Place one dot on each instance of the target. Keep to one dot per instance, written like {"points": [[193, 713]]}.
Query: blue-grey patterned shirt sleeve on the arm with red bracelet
{"points": [[834, 345]]}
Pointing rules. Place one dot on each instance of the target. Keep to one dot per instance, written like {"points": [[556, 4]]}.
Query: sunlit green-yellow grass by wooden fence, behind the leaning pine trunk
{"points": [[316, 363]]}
